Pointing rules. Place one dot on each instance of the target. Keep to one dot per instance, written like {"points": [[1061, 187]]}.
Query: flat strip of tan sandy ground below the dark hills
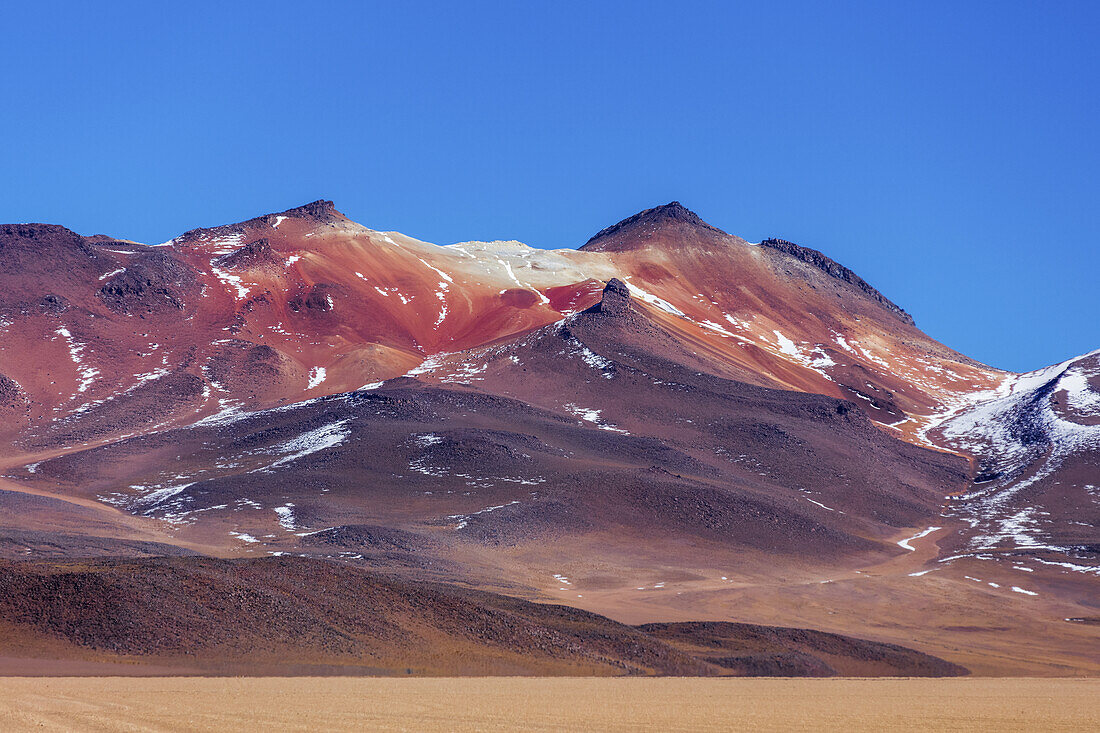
{"points": [[284, 704]]}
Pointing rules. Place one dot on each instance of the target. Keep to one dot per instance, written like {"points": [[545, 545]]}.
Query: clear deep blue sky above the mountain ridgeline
{"points": [[947, 152]]}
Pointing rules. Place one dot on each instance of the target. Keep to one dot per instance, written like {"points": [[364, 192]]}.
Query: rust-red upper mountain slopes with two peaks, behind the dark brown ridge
{"points": [[307, 303]]}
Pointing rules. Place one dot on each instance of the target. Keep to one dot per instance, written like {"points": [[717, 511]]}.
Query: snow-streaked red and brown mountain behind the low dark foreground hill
{"points": [[669, 424]]}
